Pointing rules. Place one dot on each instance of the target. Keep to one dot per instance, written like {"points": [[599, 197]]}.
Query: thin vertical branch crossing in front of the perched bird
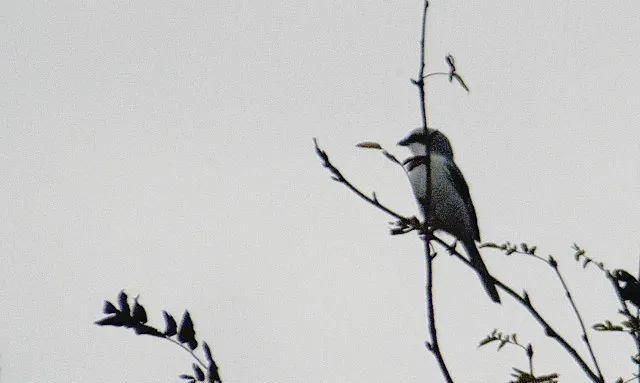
{"points": [[432, 345]]}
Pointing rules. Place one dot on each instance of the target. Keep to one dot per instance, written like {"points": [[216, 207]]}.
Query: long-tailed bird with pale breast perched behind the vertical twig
{"points": [[451, 208]]}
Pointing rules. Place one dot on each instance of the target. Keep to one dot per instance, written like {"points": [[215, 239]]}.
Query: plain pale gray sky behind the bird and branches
{"points": [[165, 148]]}
